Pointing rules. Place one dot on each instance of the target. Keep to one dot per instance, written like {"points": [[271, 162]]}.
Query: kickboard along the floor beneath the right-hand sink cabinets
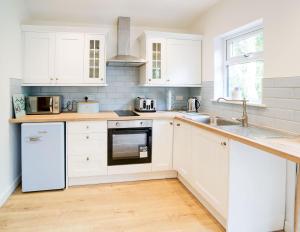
{"points": [[211, 209]]}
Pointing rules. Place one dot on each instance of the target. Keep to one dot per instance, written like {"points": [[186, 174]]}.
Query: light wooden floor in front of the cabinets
{"points": [[146, 206]]}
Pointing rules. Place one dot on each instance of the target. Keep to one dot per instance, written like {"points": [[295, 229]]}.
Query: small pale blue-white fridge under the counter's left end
{"points": [[43, 156]]}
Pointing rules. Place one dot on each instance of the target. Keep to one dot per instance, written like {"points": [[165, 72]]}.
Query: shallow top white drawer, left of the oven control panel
{"points": [[87, 127]]}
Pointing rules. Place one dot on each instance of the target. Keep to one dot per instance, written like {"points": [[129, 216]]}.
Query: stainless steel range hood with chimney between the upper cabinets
{"points": [[123, 58]]}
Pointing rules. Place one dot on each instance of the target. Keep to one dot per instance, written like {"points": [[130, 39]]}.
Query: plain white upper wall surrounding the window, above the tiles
{"points": [[281, 31]]}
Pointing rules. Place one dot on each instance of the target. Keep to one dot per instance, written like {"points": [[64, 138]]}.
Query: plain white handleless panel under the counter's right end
{"points": [[257, 190]]}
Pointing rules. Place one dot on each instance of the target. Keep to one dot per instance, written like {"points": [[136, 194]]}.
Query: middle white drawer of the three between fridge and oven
{"points": [[87, 143]]}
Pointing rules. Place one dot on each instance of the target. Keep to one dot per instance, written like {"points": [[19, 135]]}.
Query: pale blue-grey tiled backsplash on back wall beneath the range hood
{"points": [[123, 87]]}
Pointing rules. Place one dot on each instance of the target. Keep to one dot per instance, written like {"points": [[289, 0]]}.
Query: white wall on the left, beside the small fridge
{"points": [[11, 14]]}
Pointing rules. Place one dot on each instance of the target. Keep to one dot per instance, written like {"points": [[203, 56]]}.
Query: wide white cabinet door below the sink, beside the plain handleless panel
{"points": [[210, 168]]}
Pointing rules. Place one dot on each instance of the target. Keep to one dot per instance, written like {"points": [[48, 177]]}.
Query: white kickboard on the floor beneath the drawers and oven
{"points": [[122, 178]]}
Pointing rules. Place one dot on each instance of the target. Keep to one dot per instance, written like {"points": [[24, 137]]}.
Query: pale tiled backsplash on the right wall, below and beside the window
{"points": [[280, 95]]}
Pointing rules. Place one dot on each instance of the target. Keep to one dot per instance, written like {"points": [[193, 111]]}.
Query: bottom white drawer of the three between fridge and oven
{"points": [[87, 165]]}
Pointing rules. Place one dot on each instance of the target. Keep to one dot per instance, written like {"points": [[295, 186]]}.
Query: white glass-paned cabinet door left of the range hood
{"points": [[94, 59]]}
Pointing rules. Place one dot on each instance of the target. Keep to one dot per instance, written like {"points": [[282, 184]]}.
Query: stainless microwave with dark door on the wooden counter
{"points": [[43, 104]]}
